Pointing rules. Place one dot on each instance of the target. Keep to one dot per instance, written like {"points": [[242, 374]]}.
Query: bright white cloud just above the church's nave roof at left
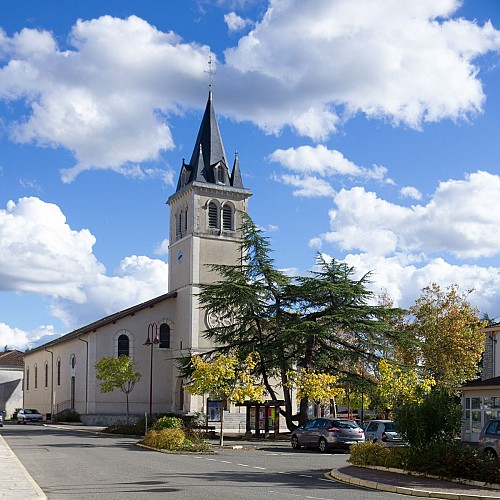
{"points": [[42, 255]]}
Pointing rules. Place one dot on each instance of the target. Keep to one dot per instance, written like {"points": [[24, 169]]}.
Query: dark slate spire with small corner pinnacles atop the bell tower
{"points": [[208, 162]]}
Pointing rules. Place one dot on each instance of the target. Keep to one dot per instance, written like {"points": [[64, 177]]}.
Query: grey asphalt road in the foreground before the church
{"points": [[77, 465]]}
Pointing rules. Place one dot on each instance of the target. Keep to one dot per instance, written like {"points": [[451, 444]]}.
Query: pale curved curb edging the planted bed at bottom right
{"points": [[372, 485]]}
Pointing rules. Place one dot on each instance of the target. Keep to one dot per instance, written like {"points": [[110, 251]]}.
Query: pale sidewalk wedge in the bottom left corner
{"points": [[15, 482]]}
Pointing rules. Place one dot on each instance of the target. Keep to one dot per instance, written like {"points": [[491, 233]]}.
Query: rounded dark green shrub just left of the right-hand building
{"points": [[436, 419]]}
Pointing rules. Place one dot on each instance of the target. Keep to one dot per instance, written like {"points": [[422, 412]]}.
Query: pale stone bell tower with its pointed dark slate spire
{"points": [[204, 226]]}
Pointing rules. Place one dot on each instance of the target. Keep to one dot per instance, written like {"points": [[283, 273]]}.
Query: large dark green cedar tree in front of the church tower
{"points": [[324, 322]]}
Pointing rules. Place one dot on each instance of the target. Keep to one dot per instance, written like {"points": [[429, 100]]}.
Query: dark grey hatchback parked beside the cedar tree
{"points": [[325, 433]]}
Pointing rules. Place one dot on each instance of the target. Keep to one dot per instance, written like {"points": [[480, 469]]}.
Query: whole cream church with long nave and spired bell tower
{"points": [[204, 223]]}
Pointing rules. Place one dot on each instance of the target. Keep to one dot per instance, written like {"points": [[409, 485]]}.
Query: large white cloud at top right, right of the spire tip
{"points": [[406, 61]]}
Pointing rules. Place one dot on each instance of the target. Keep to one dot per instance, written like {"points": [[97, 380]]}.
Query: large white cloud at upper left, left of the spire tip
{"points": [[105, 99]]}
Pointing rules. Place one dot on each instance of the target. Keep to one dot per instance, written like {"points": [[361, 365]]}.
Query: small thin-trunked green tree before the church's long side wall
{"points": [[117, 373]]}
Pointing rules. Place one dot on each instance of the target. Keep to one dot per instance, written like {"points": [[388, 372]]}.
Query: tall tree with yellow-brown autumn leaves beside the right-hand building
{"points": [[450, 333]]}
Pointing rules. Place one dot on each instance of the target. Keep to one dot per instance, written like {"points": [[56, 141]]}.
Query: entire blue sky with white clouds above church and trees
{"points": [[366, 130]]}
